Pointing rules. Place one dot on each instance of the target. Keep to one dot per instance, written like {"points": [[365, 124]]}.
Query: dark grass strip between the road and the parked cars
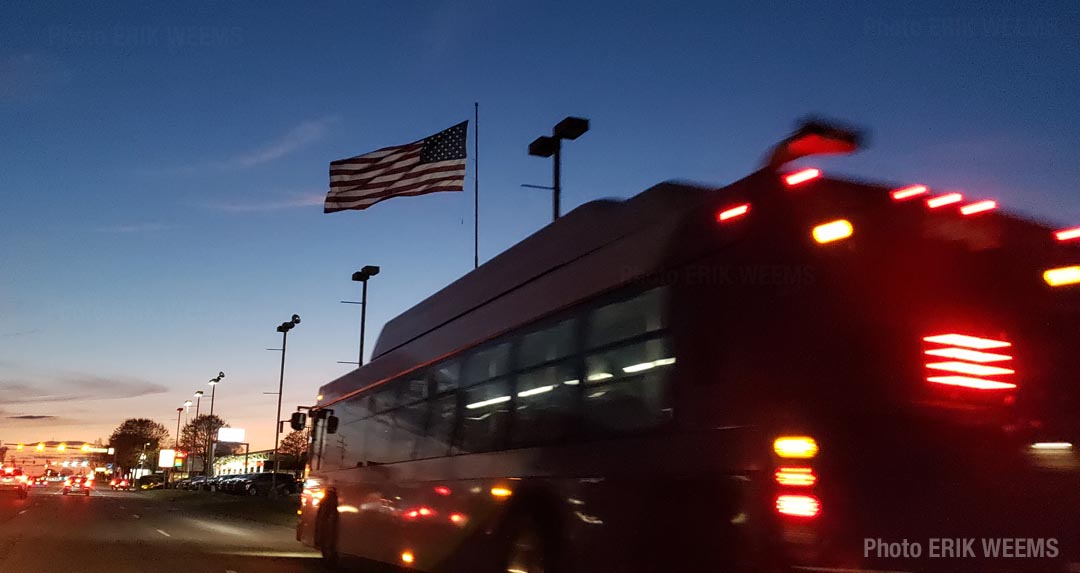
{"points": [[279, 512]]}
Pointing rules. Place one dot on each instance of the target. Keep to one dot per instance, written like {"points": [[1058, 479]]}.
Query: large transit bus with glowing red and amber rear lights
{"points": [[791, 373]]}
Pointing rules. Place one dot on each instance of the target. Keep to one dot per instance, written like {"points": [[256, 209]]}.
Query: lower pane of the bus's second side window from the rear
{"points": [[546, 404]]}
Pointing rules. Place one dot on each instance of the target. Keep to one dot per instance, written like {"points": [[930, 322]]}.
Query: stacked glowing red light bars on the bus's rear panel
{"points": [[957, 360]]}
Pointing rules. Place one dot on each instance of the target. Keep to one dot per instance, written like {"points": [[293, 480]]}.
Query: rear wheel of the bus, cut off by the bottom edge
{"points": [[530, 544]]}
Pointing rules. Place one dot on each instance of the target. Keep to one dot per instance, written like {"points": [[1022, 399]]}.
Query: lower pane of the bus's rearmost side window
{"points": [[627, 388]]}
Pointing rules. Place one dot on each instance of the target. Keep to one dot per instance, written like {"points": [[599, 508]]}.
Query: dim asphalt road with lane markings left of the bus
{"points": [[120, 533]]}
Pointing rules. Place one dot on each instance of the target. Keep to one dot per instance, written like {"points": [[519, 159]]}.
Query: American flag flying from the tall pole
{"points": [[436, 163]]}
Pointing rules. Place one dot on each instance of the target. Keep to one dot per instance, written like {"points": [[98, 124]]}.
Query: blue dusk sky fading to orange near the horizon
{"points": [[163, 166]]}
